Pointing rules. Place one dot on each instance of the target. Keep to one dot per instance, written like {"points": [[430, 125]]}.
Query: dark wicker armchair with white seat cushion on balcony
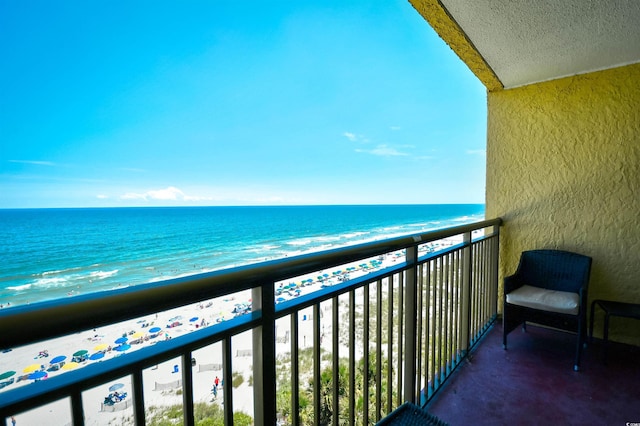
{"points": [[548, 288]]}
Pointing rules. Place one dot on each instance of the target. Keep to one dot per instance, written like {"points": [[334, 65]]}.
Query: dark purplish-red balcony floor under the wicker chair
{"points": [[533, 383]]}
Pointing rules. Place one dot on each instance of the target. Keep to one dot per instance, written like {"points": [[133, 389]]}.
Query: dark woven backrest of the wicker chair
{"points": [[554, 270]]}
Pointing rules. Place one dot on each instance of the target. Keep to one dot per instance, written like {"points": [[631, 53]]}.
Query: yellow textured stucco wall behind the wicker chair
{"points": [[563, 170]]}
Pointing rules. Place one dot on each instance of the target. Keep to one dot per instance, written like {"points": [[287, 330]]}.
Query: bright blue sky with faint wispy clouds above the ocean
{"points": [[151, 103]]}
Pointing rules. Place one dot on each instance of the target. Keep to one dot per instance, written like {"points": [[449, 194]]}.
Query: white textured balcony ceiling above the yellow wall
{"points": [[528, 41]]}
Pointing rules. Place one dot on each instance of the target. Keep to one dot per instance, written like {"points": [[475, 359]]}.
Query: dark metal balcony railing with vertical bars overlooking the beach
{"points": [[376, 334]]}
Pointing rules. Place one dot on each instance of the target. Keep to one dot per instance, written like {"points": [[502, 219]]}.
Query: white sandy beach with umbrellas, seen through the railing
{"points": [[162, 383]]}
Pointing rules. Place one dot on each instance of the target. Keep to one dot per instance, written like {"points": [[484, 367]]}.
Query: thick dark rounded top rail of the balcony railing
{"points": [[49, 319]]}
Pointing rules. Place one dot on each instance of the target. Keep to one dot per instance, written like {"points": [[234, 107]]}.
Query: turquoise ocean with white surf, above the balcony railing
{"points": [[54, 253]]}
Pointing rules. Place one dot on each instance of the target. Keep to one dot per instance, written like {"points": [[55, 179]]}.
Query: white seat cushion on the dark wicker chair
{"points": [[563, 302]]}
